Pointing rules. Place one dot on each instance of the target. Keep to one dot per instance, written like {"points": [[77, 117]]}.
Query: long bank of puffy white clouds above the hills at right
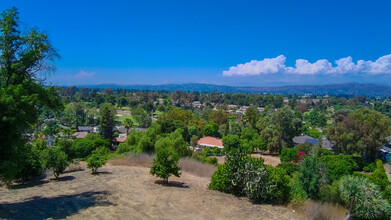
{"points": [[342, 66]]}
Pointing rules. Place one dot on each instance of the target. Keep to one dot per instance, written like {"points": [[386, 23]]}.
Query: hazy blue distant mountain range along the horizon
{"points": [[334, 89]]}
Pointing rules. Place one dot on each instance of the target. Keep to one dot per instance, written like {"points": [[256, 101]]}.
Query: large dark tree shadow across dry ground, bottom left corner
{"points": [[53, 207]]}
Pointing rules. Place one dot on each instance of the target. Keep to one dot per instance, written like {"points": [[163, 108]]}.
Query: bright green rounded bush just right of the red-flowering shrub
{"points": [[338, 166]]}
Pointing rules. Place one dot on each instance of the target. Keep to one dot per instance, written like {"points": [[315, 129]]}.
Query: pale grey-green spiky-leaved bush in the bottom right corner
{"points": [[363, 198]]}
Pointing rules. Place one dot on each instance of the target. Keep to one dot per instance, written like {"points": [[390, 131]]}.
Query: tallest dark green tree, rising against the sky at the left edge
{"points": [[24, 57]]}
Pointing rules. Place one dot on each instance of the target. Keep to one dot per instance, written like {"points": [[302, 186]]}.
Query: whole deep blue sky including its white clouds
{"points": [[158, 42]]}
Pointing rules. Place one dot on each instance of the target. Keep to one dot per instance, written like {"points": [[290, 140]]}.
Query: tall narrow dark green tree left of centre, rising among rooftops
{"points": [[107, 121]]}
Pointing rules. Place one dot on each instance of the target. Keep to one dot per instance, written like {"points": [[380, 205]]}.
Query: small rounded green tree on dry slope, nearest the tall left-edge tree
{"points": [[55, 159]]}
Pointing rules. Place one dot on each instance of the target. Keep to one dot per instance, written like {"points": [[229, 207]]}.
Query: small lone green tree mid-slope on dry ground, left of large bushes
{"points": [[166, 163]]}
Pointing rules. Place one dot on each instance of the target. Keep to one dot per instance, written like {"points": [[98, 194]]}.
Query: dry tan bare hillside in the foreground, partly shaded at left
{"points": [[129, 192]]}
